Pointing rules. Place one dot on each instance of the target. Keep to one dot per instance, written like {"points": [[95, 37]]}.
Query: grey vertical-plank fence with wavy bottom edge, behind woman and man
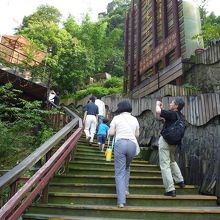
{"points": [[198, 109]]}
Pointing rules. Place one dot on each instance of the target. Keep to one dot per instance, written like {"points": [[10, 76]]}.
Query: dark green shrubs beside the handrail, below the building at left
{"points": [[21, 122]]}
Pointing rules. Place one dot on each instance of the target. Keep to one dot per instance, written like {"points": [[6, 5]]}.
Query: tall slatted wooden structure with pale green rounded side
{"points": [[158, 38]]}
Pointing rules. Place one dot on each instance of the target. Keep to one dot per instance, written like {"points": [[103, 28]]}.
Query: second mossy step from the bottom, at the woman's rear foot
{"points": [[132, 199]]}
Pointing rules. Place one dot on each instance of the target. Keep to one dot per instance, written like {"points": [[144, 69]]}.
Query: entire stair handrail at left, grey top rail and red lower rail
{"points": [[40, 179]]}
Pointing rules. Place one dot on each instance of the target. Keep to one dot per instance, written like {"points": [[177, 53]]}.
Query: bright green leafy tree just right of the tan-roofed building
{"points": [[43, 27]]}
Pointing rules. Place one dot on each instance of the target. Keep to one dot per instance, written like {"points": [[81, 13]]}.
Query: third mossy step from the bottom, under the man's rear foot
{"points": [[110, 188]]}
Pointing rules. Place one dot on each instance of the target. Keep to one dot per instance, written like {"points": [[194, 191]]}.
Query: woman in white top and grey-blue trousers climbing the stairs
{"points": [[125, 127]]}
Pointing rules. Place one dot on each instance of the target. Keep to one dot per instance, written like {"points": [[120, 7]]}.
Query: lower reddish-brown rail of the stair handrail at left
{"points": [[39, 179]]}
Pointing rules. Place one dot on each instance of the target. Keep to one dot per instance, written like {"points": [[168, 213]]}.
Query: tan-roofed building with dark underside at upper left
{"points": [[16, 49]]}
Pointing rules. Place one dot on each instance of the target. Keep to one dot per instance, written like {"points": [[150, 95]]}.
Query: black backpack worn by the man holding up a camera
{"points": [[175, 132]]}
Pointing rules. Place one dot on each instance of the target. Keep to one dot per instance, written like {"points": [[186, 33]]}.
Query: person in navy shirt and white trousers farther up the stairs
{"points": [[90, 119]]}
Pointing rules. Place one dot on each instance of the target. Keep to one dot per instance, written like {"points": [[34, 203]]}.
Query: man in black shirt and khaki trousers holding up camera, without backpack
{"points": [[169, 168]]}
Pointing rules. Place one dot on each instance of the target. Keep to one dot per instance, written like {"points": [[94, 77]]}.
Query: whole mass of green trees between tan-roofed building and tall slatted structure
{"points": [[79, 51]]}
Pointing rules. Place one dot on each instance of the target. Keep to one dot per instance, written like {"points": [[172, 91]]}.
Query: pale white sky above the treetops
{"points": [[13, 11]]}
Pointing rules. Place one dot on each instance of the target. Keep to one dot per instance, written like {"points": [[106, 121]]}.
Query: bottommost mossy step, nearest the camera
{"points": [[129, 212]]}
